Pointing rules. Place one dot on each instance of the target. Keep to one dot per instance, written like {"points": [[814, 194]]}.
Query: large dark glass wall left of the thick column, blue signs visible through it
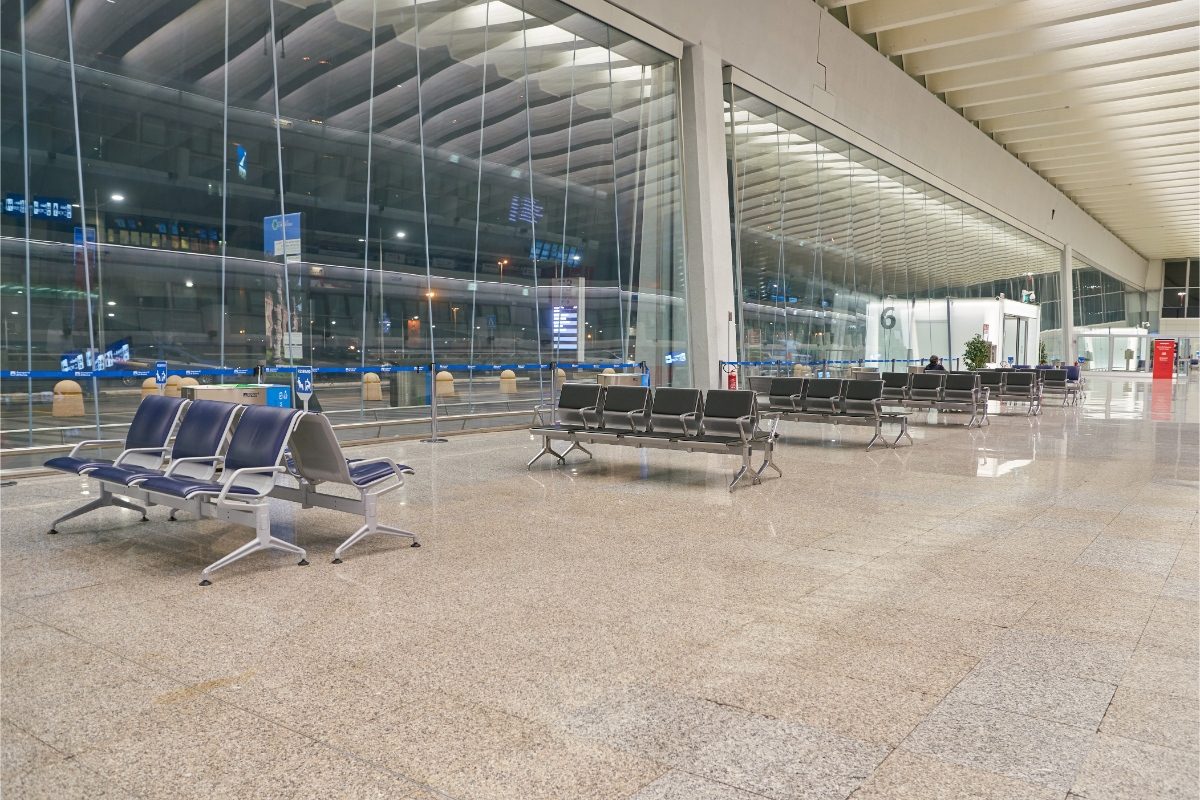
{"points": [[355, 183]]}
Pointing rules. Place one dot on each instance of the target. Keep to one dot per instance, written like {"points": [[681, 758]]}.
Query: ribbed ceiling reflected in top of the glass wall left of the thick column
{"points": [[589, 86]]}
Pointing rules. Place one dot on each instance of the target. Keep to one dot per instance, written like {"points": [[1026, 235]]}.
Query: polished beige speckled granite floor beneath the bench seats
{"points": [[1004, 615]]}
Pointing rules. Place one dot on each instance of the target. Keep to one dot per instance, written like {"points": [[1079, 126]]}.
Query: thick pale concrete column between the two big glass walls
{"points": [[707, 216]]}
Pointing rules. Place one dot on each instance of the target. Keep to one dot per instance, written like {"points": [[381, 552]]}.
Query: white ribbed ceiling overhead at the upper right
{"points": [[1097, 97]]}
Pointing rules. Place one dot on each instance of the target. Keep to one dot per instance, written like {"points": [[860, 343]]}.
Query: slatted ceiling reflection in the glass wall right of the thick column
{"points": [[802, 185]]}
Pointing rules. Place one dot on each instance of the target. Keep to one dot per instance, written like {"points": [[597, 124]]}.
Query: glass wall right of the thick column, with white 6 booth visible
{"points": [[841, 256]]}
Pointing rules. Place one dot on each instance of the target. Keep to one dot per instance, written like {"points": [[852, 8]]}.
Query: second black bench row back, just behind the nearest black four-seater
{"points": [[831, 400]]}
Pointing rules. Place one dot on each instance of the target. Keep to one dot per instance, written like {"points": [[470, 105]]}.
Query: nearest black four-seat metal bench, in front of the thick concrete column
{"points": [[722, 422]]}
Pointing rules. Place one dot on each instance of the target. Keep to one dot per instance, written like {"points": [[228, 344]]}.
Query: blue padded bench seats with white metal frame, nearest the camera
{"points": [[224, 461]]}
